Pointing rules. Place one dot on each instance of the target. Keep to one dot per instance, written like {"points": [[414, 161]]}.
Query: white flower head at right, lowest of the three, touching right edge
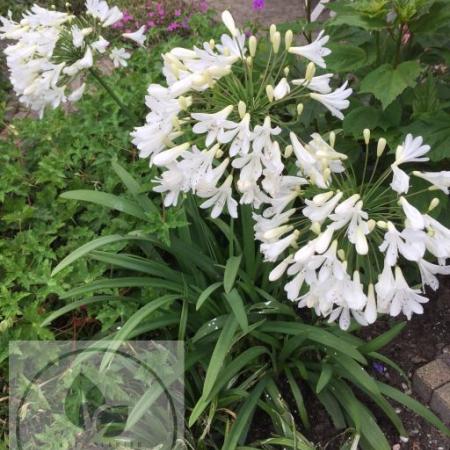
{"points": [[344, 243]]}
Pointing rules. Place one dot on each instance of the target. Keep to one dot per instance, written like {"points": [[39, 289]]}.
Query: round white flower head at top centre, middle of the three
{"points": [[217, 126]]}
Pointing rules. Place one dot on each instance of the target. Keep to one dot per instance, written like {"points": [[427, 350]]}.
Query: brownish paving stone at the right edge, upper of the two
{"points": [[430, 377]]}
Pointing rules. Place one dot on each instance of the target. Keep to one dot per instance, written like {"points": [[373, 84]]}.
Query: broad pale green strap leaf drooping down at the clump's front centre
{"points": [[223, 346]]}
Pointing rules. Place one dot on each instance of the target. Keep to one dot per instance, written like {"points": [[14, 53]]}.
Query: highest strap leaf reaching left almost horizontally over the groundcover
{"points": [[107, 200]]}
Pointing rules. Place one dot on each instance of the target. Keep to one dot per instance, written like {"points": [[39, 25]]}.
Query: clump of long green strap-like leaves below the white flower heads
{"points": [[248, 355]]}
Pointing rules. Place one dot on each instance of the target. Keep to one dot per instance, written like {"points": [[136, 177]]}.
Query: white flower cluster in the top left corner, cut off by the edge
{"points": [[53, 48]]}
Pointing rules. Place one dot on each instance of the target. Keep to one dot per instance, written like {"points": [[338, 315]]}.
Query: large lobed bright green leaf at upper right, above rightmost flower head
{"points": [[386, 82]]}
